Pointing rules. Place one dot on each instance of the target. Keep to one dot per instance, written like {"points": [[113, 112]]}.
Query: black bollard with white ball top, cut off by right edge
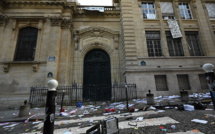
{"points": [[209, 74]]}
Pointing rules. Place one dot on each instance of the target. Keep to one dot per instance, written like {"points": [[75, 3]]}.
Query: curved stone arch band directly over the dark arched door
{"points": [[96, 45]]}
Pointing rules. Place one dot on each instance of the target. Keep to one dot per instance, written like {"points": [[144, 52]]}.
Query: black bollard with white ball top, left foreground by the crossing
{"points": [[50, 107]]}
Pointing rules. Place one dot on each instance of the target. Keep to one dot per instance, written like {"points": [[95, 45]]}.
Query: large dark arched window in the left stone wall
{"points": [[26, 44]]}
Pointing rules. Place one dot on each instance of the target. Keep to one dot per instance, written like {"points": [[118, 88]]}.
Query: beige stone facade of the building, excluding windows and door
{"points": [[67, 32]]}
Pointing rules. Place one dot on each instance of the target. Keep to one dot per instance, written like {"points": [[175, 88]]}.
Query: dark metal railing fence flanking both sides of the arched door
{"points": [[74, 94]]}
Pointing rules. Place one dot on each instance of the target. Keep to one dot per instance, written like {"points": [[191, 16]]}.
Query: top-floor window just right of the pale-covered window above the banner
{"points": [[185, 11]]}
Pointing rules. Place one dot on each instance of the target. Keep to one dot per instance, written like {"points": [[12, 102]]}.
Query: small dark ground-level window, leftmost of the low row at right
{"points": [[161, 83]]}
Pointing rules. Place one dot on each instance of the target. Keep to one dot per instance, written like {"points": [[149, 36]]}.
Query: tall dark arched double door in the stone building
{"points": [[97, 76]]}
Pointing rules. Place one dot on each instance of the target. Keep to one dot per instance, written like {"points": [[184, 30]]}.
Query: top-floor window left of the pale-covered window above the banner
{"points": [[148, 10]]}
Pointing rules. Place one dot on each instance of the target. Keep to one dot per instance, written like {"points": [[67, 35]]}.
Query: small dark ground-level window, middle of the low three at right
{"points": [[183, 82]]}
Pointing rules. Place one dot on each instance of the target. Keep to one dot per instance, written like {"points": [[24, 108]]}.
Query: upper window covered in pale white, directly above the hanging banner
{"points": [[167, 10]]}
